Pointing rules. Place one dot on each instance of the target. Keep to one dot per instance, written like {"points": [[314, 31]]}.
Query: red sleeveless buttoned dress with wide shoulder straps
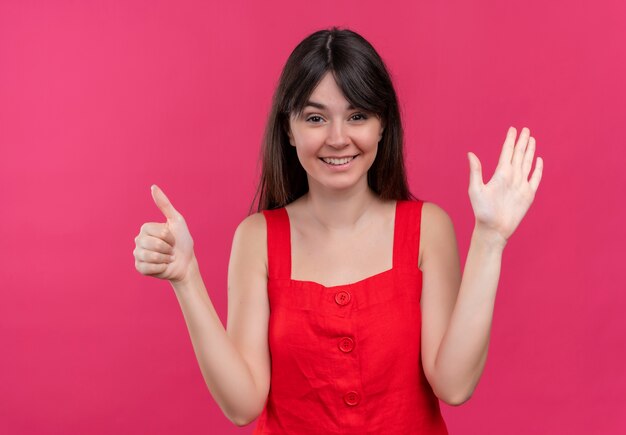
{"points": [[346, 358]]}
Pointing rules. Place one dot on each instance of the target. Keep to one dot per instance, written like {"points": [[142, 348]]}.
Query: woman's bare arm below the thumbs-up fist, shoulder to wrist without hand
{"points": [[235, 364]]}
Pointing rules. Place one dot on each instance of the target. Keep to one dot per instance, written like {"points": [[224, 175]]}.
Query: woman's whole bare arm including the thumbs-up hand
{"points": [[235, 364]]}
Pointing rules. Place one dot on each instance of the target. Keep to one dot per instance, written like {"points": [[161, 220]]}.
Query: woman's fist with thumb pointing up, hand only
{"points": [[164, 250]]}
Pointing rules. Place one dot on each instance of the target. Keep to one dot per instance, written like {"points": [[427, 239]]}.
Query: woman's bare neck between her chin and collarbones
{"points": [[343, 210]]}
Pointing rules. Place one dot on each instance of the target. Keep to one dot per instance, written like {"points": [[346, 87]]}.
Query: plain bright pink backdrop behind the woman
{"points": [[98, 100]]}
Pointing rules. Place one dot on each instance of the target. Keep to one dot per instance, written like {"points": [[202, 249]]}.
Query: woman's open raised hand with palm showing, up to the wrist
{"points": [[500, 205]]}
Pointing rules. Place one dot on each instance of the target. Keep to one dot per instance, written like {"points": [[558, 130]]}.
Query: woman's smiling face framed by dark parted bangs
{"points": [[335, 142]]}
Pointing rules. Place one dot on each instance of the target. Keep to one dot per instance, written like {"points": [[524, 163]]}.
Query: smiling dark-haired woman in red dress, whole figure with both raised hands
{"points": [[346, 308]]}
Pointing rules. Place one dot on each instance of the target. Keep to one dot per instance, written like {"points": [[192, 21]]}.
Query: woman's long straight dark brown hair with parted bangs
{"points": [[364, 80]]}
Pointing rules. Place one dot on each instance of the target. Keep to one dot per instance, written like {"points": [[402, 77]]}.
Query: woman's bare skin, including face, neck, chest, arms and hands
{"points": [[341, 233]]}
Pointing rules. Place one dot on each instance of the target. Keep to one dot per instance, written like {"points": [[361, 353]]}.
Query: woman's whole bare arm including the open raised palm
{"points": [[457, 318]]}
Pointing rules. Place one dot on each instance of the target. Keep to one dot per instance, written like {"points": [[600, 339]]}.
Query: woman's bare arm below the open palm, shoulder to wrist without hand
{"points": [[457, 318]]}
